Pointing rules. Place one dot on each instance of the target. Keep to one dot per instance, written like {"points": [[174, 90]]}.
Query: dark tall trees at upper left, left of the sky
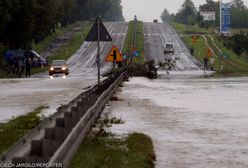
{"points": [[24, 21]]}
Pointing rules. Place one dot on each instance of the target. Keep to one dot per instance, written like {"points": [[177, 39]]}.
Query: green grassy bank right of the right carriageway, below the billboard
{"points": [[231, 64]]}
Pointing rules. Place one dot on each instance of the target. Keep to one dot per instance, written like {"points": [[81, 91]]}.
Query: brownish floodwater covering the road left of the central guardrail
{"points": [[20, 96]]}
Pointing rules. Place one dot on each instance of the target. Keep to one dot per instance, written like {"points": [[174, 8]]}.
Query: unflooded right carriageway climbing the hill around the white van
{"points": [[156, 35]]}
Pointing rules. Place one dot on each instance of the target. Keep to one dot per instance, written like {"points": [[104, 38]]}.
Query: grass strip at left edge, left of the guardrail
{"points": [[16, 128]]}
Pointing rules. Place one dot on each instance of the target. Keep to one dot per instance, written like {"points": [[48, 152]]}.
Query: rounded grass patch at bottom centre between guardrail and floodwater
{"points": [[134, 151]]}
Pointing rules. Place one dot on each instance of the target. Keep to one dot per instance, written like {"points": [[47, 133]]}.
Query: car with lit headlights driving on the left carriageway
{"points": [[58, 67]]}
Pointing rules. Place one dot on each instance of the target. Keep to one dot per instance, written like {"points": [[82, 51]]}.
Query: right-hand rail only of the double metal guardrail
{"points": [[73, 140]]}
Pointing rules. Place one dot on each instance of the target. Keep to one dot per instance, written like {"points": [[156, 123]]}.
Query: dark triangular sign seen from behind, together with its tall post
{"points": [[98, 33]]}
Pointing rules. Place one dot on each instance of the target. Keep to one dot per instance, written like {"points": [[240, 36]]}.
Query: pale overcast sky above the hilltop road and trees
{"points": [[147, 10]]}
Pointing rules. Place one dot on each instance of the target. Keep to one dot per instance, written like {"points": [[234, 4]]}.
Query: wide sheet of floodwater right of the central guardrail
{"points": [[194, 122]]}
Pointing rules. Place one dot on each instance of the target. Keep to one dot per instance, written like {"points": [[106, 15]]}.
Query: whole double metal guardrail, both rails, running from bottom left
{"points": [[58, 137]]}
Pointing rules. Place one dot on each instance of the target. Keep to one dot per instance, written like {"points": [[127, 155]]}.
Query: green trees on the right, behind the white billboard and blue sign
{"points": [[188, 14]]}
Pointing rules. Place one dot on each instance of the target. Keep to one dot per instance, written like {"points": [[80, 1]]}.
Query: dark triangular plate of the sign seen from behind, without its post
{"points": [[104, 35]]}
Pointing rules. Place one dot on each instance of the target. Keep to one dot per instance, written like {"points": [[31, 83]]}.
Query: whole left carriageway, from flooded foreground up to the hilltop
{"points": [[20, 96]]}
